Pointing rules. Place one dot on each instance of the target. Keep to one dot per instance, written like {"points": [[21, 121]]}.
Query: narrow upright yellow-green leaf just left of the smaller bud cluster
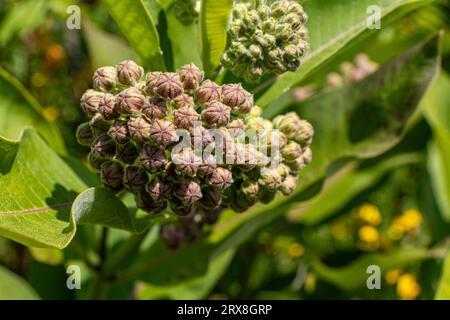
{"points": [[214, 17]]}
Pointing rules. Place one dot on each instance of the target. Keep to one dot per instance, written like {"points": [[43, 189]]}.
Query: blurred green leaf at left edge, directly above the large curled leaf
{"points": [[18, 110]]}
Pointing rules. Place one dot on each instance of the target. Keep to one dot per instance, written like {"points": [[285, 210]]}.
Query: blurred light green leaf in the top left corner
{"points": [[21, 18]]}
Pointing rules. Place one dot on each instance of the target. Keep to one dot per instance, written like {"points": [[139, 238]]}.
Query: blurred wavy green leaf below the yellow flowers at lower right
{"points": [[354, 275]]}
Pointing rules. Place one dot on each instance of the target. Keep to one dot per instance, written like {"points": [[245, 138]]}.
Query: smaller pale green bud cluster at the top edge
{"points": [[265, 38]]}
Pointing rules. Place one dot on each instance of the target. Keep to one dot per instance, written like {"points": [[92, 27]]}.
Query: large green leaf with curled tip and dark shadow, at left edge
{"points": [[43, 199]]}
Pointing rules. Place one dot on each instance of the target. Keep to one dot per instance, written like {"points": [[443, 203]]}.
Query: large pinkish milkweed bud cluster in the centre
{"points": [[179, 141]]}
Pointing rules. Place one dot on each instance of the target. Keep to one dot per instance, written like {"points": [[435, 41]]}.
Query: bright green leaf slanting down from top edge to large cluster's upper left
{"points": [[138, 27]]}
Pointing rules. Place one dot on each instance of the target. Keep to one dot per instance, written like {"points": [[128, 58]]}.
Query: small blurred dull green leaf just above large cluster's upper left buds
{"points": [[106, 49]]}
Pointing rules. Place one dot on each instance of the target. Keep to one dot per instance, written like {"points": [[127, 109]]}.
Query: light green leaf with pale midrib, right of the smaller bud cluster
{"points": [[332, 26]]}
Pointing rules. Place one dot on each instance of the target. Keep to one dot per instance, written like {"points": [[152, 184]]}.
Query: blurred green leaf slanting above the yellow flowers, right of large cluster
{"points": [[344, 186]]}
